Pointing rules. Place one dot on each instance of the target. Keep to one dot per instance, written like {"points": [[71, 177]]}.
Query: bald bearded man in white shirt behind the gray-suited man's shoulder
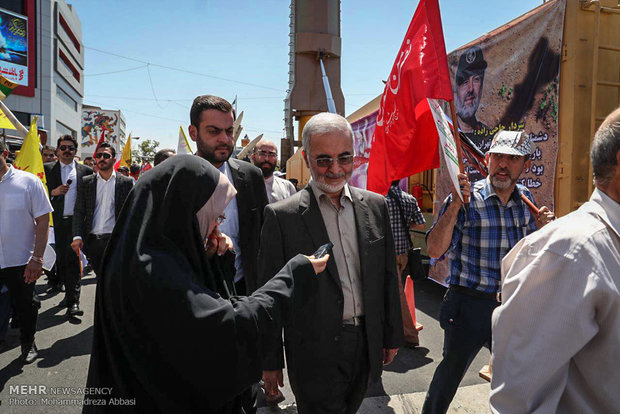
{"points": [[265, 157]]}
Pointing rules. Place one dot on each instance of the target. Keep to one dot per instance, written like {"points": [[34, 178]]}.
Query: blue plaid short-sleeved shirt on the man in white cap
{"points": [[485, 231]]}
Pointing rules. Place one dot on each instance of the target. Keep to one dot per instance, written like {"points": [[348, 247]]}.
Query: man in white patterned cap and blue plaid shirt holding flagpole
{"points": [[475, 237]]}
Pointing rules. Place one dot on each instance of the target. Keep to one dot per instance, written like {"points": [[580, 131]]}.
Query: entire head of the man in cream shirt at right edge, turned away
{"points": [[605, 156]]}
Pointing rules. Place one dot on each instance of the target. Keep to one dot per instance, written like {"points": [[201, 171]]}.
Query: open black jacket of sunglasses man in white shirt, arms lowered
{"points": [[87, 197]]}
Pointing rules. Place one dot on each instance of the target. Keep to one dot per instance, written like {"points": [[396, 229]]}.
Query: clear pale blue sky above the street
{"points": [[241, 48]]}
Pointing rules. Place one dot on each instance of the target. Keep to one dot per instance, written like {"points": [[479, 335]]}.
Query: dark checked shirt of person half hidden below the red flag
{"points": [[411, 211]]}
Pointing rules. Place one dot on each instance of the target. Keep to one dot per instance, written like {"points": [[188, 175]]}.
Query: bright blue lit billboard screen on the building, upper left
{"points": [[14, 47]]}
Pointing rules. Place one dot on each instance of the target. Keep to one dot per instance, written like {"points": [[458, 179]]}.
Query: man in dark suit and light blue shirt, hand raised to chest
{"points": [[64, 177]]}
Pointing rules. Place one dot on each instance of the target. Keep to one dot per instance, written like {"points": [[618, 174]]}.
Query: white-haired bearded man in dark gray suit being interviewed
{"points": [[346, 322]]}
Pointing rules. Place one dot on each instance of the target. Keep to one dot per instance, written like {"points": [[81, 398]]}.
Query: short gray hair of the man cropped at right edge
{"points": [[604, 151]]}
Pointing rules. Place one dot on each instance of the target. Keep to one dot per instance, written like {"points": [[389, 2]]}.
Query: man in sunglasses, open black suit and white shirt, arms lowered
{"points": [[99, 202]]}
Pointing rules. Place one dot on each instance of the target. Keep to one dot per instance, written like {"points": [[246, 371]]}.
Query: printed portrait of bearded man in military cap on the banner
{"points": [[469, 81]]}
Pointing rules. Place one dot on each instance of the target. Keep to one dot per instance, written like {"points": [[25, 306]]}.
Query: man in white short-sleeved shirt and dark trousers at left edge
{"points": [[24, 223]]}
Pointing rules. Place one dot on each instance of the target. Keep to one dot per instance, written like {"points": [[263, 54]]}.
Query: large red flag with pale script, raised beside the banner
{"points": [[405, 141]]}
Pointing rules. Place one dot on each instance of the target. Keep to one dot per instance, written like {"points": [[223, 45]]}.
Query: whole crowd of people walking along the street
{"points": [[209, 281]]}
